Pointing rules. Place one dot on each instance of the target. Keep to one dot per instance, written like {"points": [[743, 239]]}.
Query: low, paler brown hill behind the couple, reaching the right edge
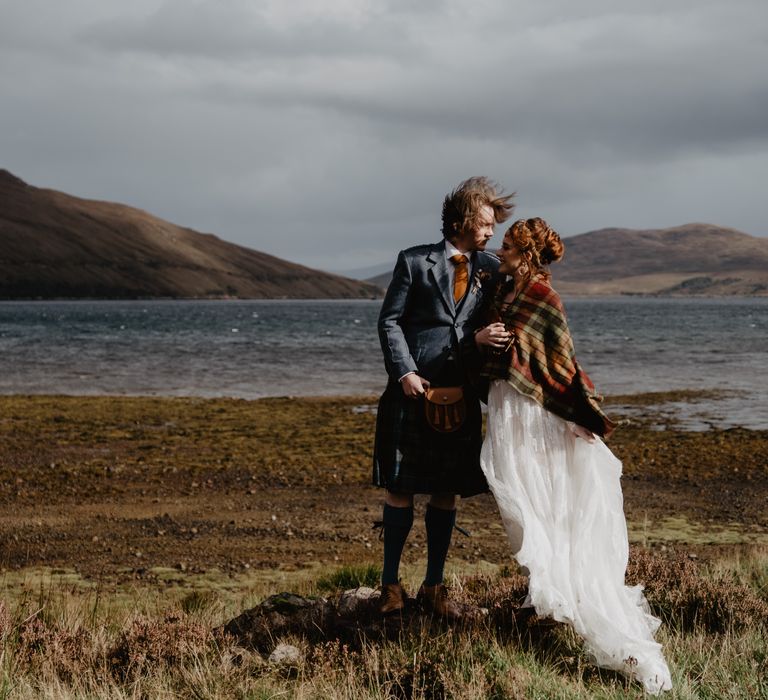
{"points": [[690, 260]]}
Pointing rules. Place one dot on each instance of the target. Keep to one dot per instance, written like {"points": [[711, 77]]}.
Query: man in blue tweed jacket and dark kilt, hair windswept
{"points": [[426, 325]]}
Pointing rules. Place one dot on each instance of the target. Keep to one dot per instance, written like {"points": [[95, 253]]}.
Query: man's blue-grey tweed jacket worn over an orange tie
{"points": [[421, 329]]}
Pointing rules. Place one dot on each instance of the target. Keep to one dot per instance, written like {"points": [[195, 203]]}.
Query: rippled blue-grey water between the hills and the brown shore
{"points": [[253, 349]]}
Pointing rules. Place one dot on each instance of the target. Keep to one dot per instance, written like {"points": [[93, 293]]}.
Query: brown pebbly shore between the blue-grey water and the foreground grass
{"points": [[116, 487]]}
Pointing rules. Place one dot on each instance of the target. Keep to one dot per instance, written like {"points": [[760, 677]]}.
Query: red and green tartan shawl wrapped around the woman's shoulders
{"points": [[541, 362]]}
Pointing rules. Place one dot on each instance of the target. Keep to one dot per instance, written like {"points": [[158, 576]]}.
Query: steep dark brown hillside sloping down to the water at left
{"points": [[53, 245]]}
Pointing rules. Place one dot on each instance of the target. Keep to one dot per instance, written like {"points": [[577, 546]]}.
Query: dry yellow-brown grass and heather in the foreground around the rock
{"points": [[59, 645]]}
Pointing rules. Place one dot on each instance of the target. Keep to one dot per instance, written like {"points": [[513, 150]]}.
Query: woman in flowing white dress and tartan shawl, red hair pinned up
{"points": [[554, 480]]}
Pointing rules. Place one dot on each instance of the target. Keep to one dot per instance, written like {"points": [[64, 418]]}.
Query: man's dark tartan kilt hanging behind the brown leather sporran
{"points": [[411, 457]]}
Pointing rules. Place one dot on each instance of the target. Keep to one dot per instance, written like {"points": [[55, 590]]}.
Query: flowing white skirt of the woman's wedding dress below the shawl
{"points": [[561, 503]]}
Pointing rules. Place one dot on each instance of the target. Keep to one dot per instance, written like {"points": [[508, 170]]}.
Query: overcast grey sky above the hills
{"points": [[328, 131]]}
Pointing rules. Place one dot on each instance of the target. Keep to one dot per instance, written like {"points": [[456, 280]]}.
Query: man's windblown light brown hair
{"points": [[461, 207]]}
